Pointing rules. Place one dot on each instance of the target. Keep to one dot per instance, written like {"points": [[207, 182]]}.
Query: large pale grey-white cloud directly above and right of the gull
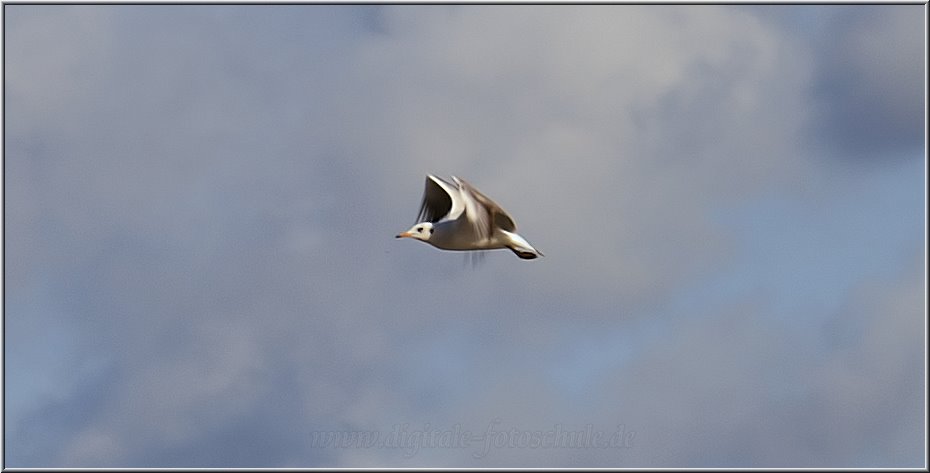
{"points": [[597, 127]]}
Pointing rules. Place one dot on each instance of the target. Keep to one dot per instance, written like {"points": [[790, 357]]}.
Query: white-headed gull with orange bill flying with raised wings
{"points": [[456, 216]]}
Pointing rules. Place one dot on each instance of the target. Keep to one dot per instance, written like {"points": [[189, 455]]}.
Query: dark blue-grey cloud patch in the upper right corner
{"points": [[870, 80]]}
